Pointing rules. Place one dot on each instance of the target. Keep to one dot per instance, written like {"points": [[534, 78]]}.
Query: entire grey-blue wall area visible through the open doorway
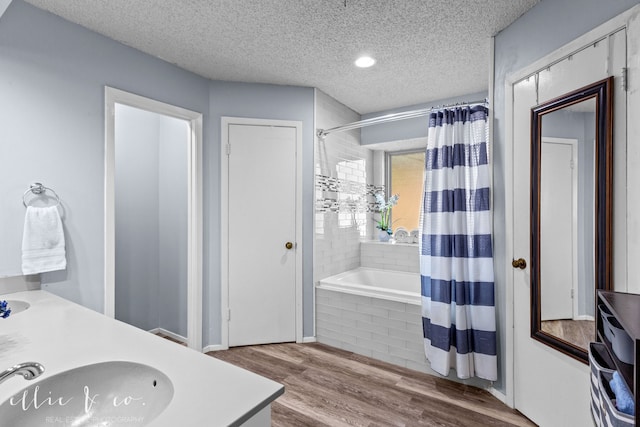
{"points": [[151, 220]]}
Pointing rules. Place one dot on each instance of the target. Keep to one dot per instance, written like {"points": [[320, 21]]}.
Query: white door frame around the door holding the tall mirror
{"points": [[629, 20]]}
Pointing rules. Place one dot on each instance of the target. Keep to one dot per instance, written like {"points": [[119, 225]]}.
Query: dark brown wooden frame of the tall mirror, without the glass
{"points": [[602, 92]]}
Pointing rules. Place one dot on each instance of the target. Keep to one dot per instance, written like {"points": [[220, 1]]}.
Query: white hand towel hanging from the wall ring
{"points": [[43, 241]]}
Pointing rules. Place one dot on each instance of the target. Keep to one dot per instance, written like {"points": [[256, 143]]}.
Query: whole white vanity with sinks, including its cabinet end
{"points": [[64, 336]]}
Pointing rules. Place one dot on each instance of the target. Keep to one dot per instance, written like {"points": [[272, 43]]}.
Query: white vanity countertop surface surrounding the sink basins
{"points": [[62, 335]]}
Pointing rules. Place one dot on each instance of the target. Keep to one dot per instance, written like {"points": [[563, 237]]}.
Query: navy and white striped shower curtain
{"points": [[456, 256]]}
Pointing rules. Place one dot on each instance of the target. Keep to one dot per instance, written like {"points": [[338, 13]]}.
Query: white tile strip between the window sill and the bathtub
{"points": [[390, 256]]}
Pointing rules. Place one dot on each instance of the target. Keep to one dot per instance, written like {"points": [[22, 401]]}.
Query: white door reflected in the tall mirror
{"points": [[557, 258]]}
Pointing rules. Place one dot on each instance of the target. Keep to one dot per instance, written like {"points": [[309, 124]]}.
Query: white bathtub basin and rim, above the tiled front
{"points": [[370, 282]]}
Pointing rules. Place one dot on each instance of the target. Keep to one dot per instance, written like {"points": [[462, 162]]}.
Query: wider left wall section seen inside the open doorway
{"points": [[136, 217]]}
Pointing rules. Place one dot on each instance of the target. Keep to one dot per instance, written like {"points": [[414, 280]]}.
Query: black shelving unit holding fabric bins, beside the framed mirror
{"points": [[626, 308]]}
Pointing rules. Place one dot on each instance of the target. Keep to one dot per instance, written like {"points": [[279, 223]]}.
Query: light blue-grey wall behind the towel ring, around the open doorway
{"points": [[52, 130]]}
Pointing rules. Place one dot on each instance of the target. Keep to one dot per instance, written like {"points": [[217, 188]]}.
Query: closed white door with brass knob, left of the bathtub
{"points": [[262, 221]]}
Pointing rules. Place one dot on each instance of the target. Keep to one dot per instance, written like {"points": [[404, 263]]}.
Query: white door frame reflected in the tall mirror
{"points": [[573, 143]]}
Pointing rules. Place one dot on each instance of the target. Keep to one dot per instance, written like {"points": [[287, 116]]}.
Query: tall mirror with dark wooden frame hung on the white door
{"points": [[571, 215]]}
